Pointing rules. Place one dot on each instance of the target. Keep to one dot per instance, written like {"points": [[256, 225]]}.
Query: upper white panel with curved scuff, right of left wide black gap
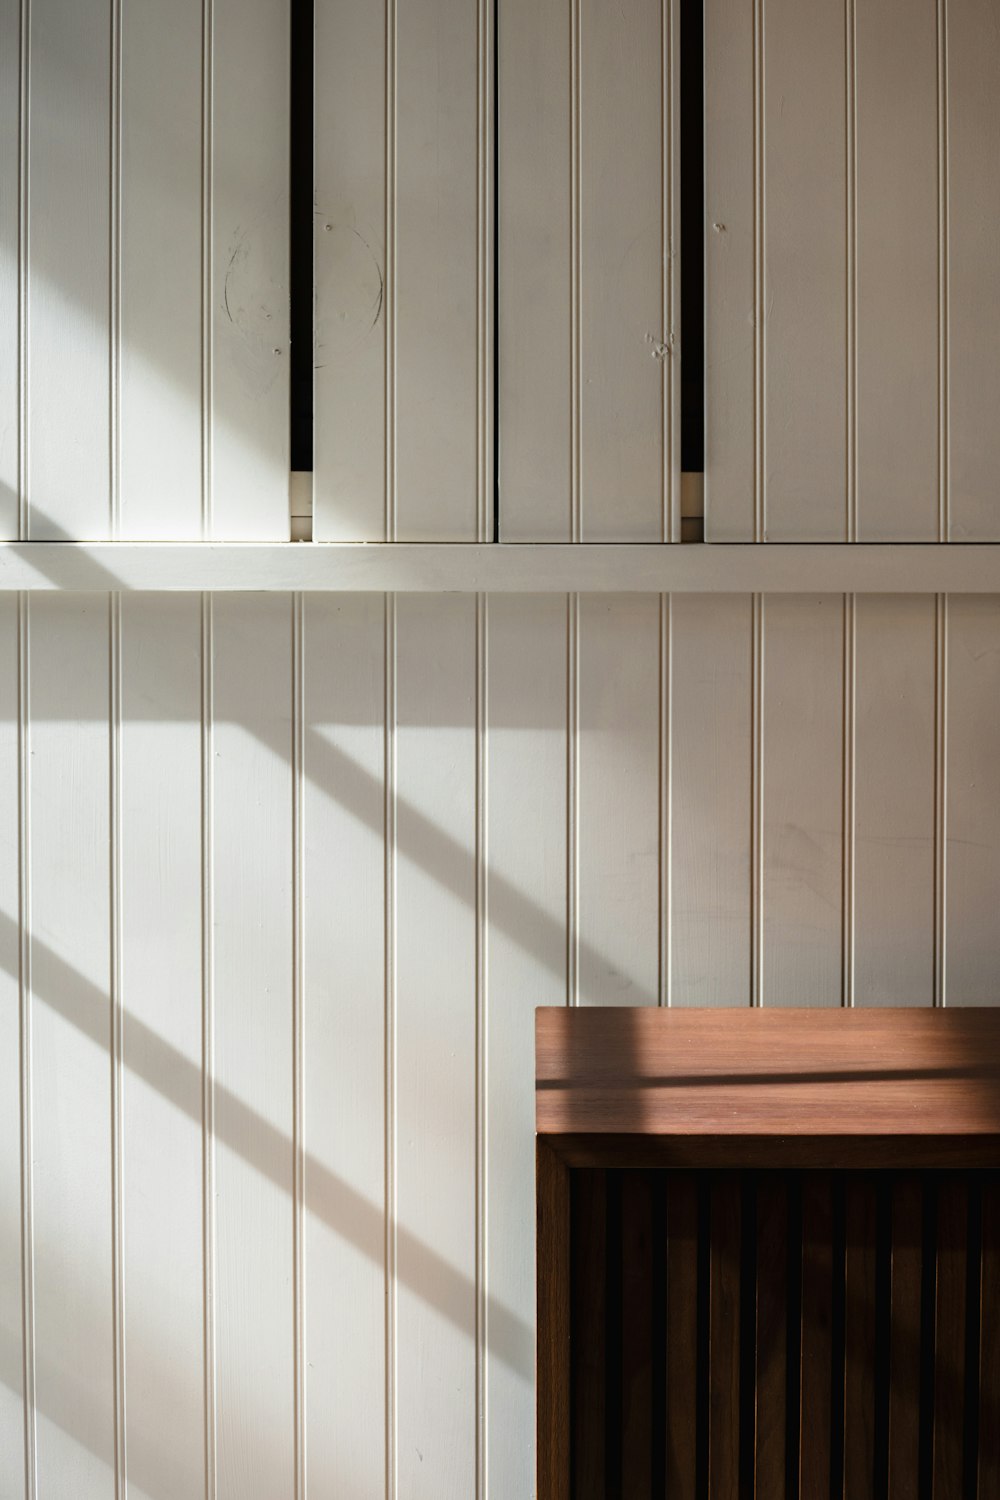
{"points": [[404, 274]]}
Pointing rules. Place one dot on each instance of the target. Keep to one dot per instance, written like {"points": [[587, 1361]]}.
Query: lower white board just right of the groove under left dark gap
{"points": [[344, 1031]]}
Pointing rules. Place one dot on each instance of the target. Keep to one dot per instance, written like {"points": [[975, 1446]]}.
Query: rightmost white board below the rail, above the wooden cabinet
{"points": [[974, 799]]}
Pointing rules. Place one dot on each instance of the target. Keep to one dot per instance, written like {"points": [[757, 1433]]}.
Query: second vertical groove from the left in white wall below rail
{"points": [[118, 1039]]}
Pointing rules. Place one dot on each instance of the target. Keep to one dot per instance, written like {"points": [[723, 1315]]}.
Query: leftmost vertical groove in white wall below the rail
{"points": [[26, 1015]]}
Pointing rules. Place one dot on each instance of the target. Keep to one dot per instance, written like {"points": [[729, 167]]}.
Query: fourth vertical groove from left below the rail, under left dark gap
{"points": [[299, 1046]]}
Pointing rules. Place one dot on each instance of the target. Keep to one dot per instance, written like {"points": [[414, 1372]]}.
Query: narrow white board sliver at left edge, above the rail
{"points": [[11, 110]]}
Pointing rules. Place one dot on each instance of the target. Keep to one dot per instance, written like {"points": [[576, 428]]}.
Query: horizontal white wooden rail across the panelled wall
{"points": [[500, 569]]}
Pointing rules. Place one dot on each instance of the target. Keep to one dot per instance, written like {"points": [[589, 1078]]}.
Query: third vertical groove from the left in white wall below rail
{"points": [[209, 1042]]}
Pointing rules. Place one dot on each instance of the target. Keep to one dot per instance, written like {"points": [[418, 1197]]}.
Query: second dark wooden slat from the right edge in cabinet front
{"points": [[950, 1340]]}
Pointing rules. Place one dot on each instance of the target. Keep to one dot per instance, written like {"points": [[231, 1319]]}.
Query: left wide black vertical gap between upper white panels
{"points": [[301, 212]]}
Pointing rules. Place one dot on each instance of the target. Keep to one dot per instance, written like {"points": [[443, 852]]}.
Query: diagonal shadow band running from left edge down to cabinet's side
{"points": [[269, 1151]]}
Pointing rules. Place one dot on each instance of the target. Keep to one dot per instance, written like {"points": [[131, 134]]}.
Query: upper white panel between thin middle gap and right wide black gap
{"points": [[608, 176]]}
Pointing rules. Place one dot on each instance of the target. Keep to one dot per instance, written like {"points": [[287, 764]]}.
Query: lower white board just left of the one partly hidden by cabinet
{"points": [[436, 1045]]}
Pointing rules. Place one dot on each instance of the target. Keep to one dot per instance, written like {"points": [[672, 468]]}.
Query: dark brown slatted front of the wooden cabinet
{"points": [[783, 1336]]}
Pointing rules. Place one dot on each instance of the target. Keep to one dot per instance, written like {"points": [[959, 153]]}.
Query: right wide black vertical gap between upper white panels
{"points": [[692, 236]]}
